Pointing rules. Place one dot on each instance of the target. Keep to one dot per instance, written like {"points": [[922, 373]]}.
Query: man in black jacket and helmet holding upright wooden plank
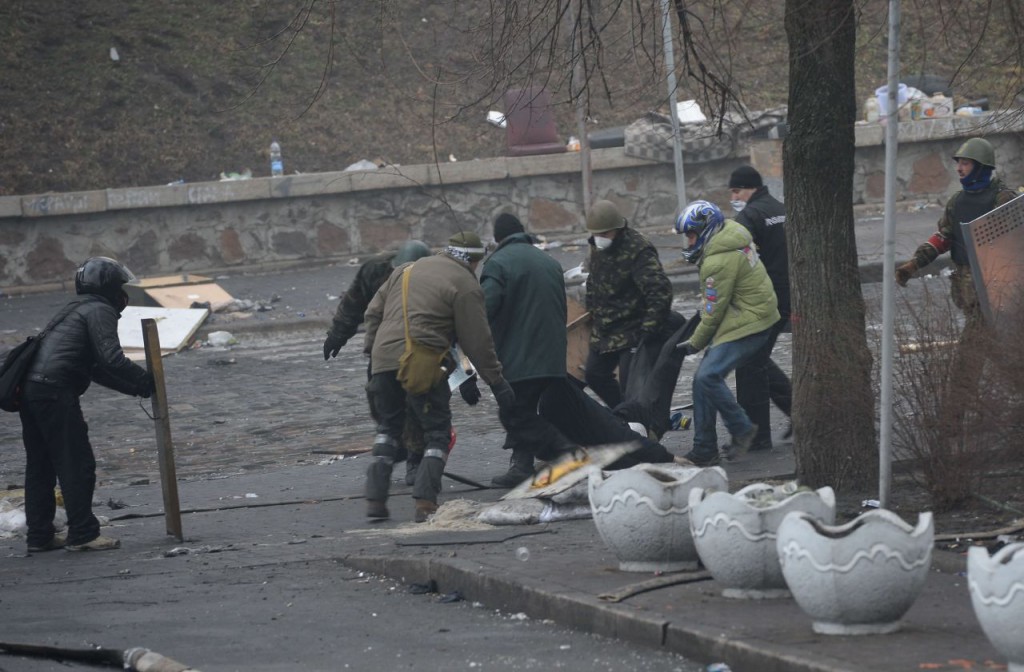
{"points": [[82, 347]]}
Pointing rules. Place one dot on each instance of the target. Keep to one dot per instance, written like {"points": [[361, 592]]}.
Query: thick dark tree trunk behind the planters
{"points": [[834, 408]]}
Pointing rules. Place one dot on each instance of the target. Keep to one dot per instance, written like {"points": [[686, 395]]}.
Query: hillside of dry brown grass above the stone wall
{"points": [[102, 95]]}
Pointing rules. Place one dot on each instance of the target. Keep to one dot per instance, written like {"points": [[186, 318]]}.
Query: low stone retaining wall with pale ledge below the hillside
{"points": [[212, 226]]}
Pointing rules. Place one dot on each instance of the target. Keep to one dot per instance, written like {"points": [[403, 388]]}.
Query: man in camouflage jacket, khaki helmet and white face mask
{"points": [[628, 296]]}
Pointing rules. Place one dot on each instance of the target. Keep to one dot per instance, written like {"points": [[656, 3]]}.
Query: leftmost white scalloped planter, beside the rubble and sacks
{"points": [[643, 514]]}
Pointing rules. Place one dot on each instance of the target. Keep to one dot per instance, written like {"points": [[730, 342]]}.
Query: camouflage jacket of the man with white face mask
{"points": [[628, 295]]}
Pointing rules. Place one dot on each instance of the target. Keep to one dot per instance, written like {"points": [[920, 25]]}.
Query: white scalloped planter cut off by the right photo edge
{"points": [[997, 585]]}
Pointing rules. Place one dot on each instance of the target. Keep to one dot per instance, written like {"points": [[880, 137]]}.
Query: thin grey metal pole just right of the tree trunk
{"points": [[889, 261]]}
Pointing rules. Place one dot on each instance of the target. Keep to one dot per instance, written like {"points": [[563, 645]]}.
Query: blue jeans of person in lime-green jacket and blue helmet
{"points": [[712, 396]]}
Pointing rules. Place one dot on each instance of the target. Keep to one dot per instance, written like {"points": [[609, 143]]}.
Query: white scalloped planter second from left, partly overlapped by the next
{"points": [[736, 534]]}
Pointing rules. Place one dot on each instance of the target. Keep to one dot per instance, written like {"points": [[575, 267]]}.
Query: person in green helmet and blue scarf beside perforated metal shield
{"points": [[983, 193]]}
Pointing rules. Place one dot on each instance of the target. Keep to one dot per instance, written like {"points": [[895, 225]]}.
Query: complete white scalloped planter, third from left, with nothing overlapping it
{"points": [[860, 578]]}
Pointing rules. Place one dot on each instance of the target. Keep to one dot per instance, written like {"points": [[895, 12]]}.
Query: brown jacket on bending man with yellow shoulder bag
{"points": [[446, 306]]}
